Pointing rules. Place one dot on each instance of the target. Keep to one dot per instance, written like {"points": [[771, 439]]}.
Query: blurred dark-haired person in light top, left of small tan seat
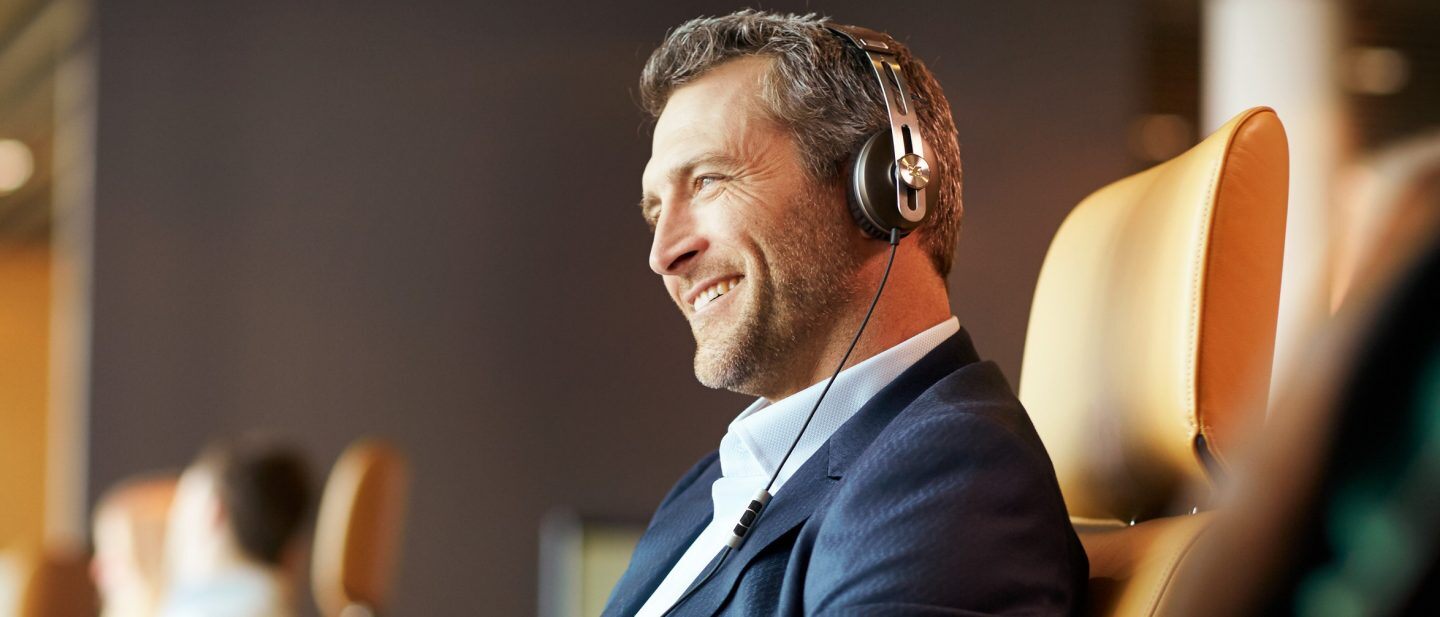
{"points": [[233, 544]]}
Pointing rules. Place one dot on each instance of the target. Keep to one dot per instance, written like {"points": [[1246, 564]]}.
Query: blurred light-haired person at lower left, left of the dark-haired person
{"points": [[130, 533]]}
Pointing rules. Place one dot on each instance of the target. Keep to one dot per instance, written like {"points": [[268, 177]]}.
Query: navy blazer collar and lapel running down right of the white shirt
{"points": [[813, 484]]}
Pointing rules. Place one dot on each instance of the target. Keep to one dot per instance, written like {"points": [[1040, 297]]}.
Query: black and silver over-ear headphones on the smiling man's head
{"points": [[888, 191]]}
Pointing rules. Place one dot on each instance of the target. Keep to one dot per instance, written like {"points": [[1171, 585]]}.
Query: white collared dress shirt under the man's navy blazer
{"points": [[755, 445]]}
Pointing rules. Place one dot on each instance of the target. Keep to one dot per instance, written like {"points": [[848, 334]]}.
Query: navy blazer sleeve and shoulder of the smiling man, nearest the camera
{"points": [[955, 488]]}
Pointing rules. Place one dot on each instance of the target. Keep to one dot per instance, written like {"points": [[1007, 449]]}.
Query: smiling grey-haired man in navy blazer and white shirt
{"points": [[921, 487]]}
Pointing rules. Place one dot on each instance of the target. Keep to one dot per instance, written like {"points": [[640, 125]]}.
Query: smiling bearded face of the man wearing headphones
{"points": [[755, 254]]}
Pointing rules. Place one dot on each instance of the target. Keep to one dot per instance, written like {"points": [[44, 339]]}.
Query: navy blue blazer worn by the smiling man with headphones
{"points": [[935, 500]]}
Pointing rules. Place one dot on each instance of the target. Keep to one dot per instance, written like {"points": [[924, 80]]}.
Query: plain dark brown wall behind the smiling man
{"points": [[417, 220]]}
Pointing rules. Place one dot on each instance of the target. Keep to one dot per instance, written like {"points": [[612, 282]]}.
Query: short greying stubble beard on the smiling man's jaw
{"points": [[800, 283]]}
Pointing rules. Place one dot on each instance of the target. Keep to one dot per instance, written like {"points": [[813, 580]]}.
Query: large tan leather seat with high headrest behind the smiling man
{"points": [[1151, 335]]}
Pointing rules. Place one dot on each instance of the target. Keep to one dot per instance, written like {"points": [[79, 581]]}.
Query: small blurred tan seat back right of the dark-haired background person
{"points": [[358, 533]]}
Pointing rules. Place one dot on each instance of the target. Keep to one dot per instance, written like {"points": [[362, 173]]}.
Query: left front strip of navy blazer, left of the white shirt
{"points": [[675, 528]]}
